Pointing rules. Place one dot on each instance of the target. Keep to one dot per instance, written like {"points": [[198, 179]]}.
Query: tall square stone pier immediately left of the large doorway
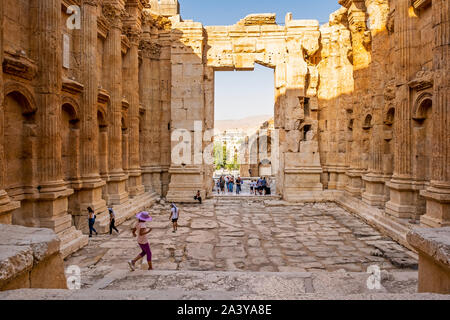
{"points": [[187, 113]]}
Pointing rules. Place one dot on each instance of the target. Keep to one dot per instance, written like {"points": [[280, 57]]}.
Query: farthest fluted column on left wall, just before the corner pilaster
{"points": [[133, 30]]}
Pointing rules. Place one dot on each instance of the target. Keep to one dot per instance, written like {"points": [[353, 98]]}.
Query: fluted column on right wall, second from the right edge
{"points": [[403, 193]]}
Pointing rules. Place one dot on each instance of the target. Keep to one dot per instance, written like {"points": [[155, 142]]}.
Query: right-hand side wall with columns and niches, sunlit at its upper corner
{"points": [[382, 122]]}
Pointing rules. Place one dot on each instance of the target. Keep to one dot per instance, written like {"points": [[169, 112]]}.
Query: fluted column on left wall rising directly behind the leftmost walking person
{"points": [[91, 193]]}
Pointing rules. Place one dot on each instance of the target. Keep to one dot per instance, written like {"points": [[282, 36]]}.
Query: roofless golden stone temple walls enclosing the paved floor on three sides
{"points": [[95, 92]]}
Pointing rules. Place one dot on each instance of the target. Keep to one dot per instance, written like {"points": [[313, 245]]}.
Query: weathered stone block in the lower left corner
{"points": [[29, 258]]}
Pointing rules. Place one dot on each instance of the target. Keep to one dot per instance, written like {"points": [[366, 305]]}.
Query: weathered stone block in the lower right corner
{"points": [[433, 246]]}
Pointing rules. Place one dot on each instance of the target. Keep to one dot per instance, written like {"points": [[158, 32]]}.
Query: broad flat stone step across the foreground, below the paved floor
{"points": [[175, 285]]}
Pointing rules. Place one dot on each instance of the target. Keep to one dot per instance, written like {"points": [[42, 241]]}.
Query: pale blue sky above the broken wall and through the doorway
{"points": [[243, 94]]}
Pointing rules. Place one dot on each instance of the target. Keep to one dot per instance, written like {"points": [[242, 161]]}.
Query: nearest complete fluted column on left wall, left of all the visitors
{"points": [[52, 203]]}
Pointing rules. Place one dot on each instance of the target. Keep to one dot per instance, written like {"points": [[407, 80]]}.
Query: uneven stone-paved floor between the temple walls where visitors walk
{"points": [[247, 235]]}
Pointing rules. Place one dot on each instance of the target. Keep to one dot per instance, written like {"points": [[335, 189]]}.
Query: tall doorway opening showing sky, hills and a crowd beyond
{"points": [[244, 126]]}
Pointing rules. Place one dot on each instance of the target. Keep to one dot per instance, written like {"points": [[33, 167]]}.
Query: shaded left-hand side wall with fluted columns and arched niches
{"points": [[85, 118]]}
